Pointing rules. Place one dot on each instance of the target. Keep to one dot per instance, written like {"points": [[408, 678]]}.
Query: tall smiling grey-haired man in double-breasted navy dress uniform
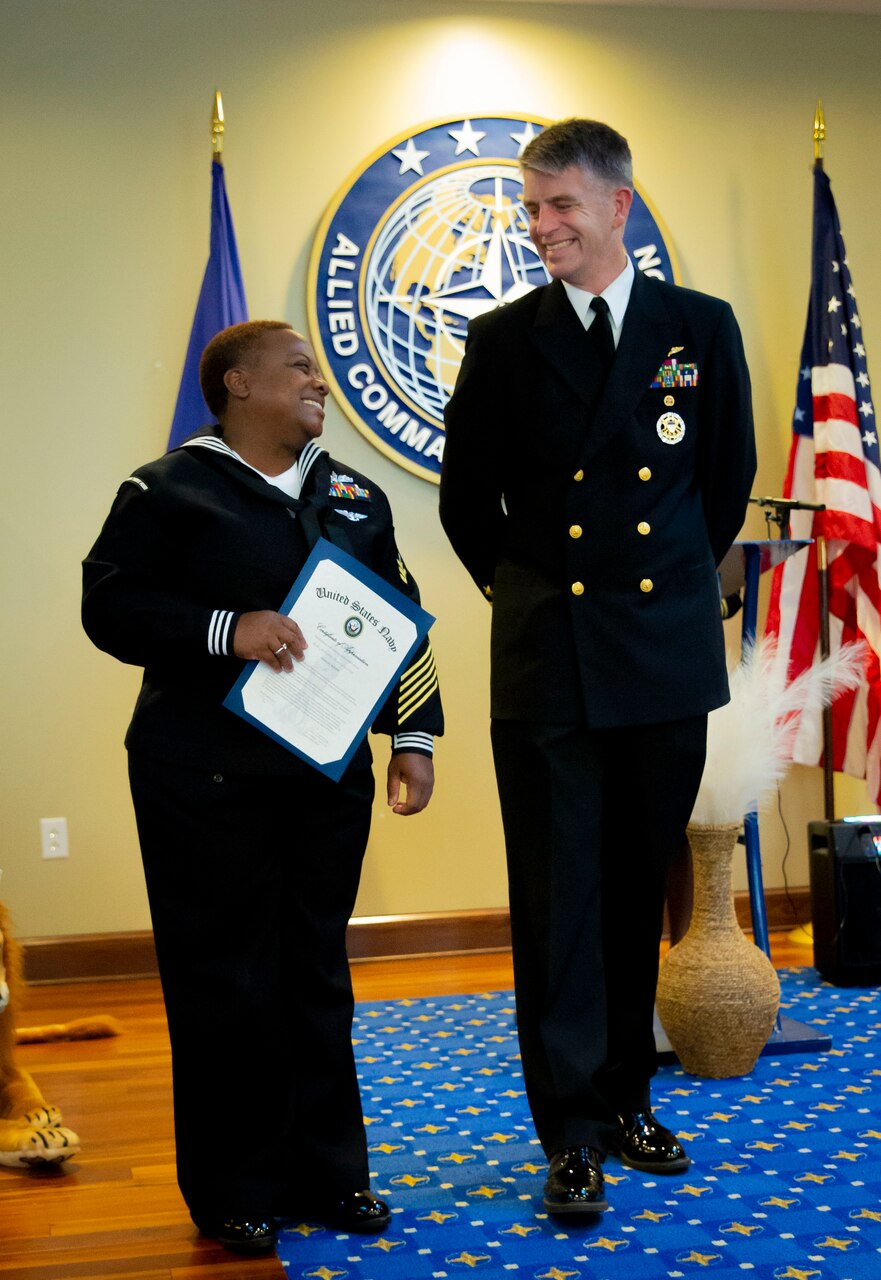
{"points": [[599, 460]]}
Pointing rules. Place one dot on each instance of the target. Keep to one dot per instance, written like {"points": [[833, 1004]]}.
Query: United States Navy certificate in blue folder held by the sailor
{"points": [[360, 634]]}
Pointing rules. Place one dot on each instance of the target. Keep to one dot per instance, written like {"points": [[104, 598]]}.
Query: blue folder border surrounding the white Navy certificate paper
{"points": [[417, 616]]}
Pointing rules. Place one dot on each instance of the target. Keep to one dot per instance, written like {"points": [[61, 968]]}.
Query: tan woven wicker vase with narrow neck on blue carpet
{"points": [[718, 993]]}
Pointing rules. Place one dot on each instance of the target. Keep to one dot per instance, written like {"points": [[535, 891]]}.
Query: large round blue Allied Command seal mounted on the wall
{"points": [[427, 234]]}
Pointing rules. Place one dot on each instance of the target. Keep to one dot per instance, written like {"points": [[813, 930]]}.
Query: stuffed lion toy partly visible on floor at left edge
{"points": [[31, 1131]]}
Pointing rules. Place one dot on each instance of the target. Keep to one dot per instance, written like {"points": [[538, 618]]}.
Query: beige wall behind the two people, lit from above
{"points": [[106, 204]]}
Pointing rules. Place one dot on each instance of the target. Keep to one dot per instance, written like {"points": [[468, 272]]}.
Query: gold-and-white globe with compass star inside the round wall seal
{"points": [[457, 245]]}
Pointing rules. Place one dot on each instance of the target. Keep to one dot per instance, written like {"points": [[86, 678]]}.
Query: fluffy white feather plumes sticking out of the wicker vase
{"points": [[750, 742]]}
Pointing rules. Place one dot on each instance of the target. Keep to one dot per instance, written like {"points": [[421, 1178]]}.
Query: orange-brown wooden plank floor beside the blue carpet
{"points": [[115, 1210]]}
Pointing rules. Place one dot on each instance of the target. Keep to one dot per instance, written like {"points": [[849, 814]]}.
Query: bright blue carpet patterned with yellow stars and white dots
{"points": [[786, 1181]]}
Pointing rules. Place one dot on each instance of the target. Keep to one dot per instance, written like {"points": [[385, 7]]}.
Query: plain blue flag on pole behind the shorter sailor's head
{"points": [[221, 304]]}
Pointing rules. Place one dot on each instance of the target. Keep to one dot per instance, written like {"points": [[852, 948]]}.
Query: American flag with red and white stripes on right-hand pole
{"points": [[834, 460]]}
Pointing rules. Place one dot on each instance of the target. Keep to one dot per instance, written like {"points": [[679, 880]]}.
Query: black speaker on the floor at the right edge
{"points": [[846, 900]]}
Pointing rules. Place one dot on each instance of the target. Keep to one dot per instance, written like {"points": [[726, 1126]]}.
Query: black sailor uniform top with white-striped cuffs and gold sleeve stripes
{"points": [[194, 541]]}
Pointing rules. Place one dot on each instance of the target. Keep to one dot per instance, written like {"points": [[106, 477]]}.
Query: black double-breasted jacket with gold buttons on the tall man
{"points": [[597, 541]]}
